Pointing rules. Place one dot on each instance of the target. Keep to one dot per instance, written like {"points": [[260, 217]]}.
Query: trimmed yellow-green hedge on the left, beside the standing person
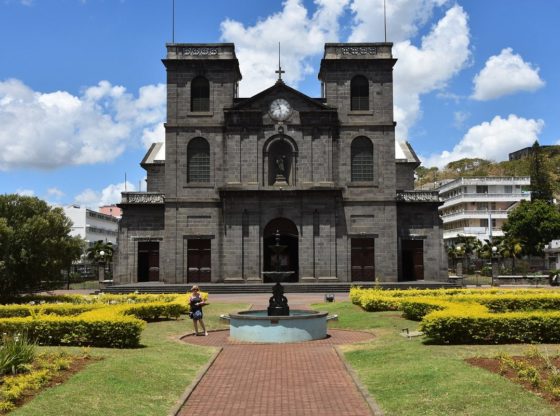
{"points": [[113, 321]]}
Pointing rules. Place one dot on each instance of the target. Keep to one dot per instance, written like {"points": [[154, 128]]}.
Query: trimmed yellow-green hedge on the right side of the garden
{"points": [[473, 316]]}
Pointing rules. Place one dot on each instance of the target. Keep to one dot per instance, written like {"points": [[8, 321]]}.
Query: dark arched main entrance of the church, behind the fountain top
{"points": [[288, 259]]}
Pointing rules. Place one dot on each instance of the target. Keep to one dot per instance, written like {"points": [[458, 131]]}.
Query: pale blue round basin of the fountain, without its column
{"points": [[257, 326]]}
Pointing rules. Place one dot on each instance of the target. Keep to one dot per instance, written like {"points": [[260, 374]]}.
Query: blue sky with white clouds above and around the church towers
{"points": [[82, 87]]}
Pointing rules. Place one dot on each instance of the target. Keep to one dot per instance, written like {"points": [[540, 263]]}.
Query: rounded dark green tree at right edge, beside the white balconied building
{"points": [[533, 224]]}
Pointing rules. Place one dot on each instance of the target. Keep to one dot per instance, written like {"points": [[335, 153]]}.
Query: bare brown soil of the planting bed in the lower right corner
{"points": [[495, 365]]}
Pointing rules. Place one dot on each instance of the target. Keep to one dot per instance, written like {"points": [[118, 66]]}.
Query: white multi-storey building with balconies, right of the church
{"points": [[479, 206]]}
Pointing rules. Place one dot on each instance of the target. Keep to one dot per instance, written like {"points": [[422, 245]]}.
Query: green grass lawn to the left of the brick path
{"points": [[136, 382]]}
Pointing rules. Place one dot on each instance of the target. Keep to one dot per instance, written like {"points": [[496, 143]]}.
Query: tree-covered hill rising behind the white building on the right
{"points": [[481, 167]]}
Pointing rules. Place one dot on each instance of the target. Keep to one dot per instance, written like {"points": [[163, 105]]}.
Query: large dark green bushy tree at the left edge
{"points": [[35, 245]]}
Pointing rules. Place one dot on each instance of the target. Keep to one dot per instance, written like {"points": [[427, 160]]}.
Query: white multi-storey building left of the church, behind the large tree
{"points": [[92, 226]]}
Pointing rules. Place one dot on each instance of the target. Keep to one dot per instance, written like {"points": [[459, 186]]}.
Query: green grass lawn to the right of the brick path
{"points": [[407, 377]]}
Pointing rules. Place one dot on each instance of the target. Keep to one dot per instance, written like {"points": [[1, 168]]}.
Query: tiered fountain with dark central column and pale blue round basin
{"points": [[278, 324]]}
